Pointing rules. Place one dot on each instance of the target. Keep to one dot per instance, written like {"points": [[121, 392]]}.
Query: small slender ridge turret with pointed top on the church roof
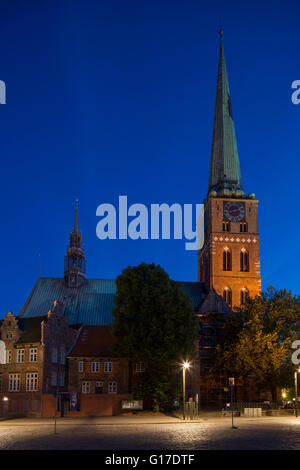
{"points": [[75, 260]]}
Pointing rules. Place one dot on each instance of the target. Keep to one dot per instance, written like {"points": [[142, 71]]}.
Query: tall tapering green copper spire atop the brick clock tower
{"points": [[225, 174]]}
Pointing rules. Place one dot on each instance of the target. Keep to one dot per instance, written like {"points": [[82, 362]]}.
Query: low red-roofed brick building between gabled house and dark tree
{"points": [[97, 374]]}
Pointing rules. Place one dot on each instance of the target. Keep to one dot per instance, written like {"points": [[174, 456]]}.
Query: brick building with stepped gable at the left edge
{"points": [[33, 361]]}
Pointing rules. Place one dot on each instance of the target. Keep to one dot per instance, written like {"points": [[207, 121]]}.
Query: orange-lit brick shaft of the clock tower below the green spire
{"points": [[242, 275]]}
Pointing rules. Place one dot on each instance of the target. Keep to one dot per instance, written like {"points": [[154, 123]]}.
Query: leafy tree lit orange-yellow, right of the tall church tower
{"points": [[258, 338]]}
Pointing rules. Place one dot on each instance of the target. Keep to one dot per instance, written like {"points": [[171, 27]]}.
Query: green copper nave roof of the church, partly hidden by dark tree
{"points": [[91, 303]]}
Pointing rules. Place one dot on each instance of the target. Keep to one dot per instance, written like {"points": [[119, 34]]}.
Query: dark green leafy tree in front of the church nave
{"points": [[154, 322]]}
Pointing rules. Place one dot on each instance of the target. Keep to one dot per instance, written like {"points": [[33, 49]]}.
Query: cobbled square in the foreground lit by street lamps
{"points": [[153, 432]]}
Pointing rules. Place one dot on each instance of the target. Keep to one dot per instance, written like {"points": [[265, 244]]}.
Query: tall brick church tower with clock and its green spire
{"points": [[229, 261]]}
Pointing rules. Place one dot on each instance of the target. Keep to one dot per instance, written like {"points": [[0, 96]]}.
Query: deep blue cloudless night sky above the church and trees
{"points": [[109, 98]]}
